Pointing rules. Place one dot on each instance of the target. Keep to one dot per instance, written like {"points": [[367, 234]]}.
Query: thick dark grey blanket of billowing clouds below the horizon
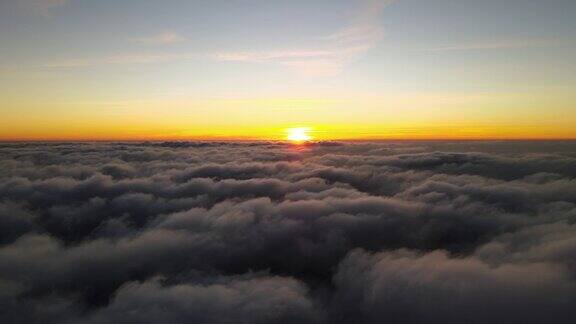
{"points": [[206, 232]]}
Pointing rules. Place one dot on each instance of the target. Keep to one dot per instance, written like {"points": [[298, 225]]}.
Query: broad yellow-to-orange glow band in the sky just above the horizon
{"points": [[400, 116]]}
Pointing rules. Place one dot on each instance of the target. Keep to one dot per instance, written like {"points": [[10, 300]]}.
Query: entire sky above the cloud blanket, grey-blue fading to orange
{"points": [[249, 69]]}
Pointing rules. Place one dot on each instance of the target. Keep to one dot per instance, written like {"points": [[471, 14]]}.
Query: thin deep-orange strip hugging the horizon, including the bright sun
{"points": [[282, 133]]}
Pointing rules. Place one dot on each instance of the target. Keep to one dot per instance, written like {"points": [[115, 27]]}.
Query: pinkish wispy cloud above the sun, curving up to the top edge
{"points": [[333, 51]]}
